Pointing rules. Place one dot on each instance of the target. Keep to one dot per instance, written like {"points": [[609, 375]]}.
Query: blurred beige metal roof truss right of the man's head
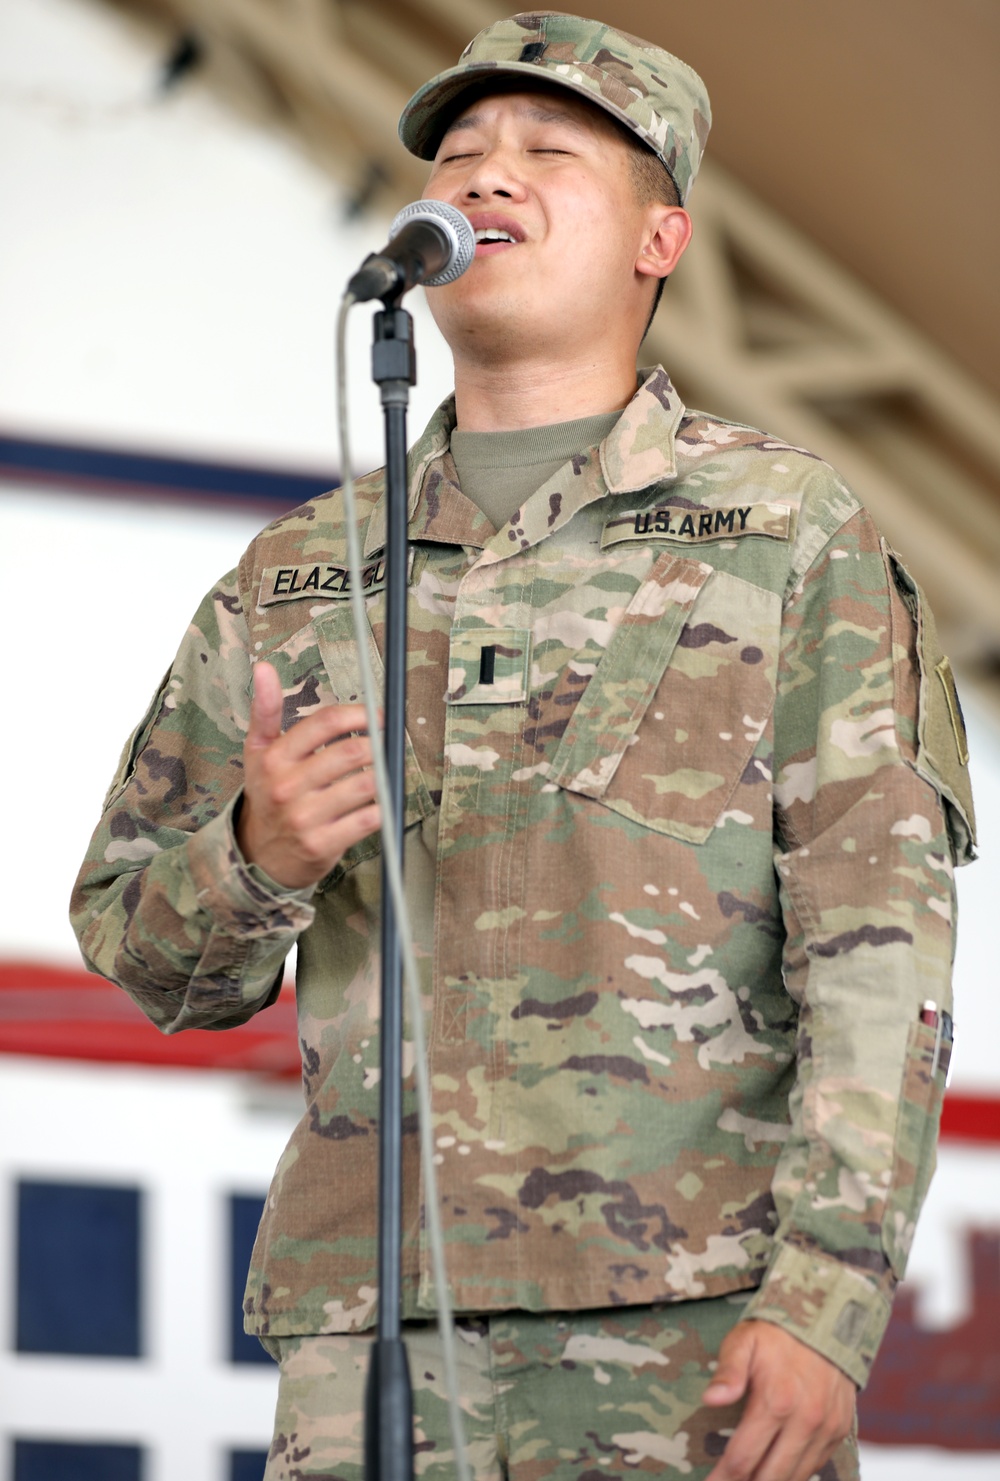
{"points": [[915, 436]]}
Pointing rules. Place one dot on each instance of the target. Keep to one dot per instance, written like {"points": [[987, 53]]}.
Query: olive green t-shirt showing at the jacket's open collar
{"points": [[500, 470]]}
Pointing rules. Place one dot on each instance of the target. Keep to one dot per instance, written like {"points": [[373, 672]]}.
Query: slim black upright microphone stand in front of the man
{"points": [[389, 1402]]}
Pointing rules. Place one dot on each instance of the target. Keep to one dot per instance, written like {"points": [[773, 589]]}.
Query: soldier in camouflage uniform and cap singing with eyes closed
{"points": [[687, 781]]}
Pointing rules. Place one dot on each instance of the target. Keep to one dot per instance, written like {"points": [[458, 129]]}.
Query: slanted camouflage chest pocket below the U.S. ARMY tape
{"points": [[679, 703]]}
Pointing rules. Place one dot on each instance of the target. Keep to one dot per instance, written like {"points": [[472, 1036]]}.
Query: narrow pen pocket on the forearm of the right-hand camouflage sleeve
{"points": [[915, 1153]]}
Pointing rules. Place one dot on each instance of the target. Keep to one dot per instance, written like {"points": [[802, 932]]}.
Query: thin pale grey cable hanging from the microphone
{"points": [[395, 876]]}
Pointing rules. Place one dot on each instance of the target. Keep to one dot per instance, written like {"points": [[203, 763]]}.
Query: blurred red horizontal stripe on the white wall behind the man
{"points": [[69, 1014]]}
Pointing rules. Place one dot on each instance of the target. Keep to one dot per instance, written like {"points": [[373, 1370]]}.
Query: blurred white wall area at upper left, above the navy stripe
{"points": [[170, 273]]}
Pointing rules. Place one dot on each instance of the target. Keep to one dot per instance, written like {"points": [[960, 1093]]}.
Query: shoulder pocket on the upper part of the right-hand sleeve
{"points": [[943, 749]]}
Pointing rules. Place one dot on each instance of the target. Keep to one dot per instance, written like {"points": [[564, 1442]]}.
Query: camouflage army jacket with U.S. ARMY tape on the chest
{"points": [[685, 792]]}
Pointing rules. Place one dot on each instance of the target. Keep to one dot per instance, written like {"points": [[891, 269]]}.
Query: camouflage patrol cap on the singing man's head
{"points": [[654, 94]]}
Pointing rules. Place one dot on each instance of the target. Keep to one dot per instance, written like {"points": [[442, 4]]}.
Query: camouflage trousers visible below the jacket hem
{"points": [[574, 1397]]}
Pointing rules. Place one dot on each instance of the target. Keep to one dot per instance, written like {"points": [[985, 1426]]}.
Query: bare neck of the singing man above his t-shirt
{"points": [[507, 398]]}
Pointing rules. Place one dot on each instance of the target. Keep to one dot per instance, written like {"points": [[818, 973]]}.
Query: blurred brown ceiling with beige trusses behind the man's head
{"points": [[841, 290]]}
